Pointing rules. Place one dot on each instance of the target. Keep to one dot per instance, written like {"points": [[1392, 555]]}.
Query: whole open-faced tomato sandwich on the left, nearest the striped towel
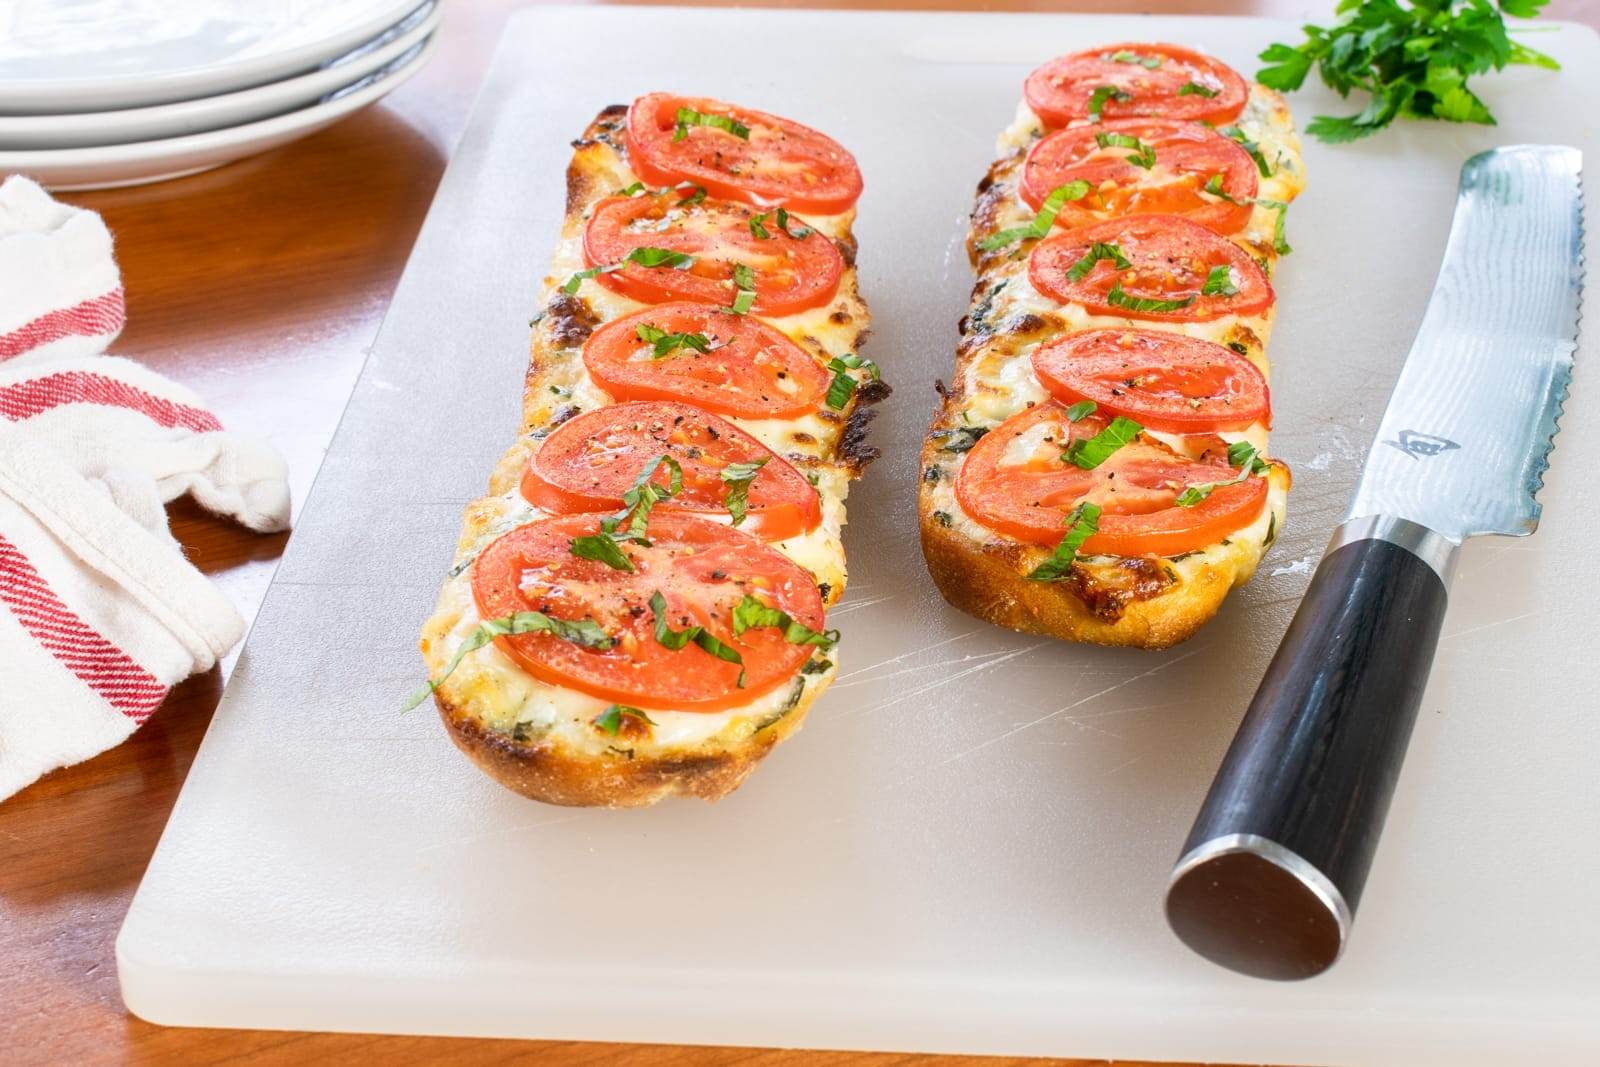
{"points": [[638, 609]]}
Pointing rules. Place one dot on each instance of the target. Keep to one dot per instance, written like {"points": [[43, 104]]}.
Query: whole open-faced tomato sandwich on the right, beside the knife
{"points": [[1098, 468]]}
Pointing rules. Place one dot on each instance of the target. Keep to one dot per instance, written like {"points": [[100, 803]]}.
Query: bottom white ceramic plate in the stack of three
{"points": [[174, 158]]}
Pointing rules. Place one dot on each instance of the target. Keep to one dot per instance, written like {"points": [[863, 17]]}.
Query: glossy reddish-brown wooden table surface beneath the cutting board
{"points": [[262, 286]]}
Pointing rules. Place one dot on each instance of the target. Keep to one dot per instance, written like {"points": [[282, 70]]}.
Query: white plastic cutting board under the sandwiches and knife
{"points": [[966, 849]]}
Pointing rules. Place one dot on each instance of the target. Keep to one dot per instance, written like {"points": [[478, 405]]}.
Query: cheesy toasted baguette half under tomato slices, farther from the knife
{"points": [[542, 740]]}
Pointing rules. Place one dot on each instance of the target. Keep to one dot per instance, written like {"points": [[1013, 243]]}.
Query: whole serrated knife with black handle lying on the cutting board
{"points": [[1274, 868]]}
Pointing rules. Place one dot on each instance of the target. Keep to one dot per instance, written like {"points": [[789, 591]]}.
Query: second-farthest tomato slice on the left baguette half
{"points": [[791, 276]]}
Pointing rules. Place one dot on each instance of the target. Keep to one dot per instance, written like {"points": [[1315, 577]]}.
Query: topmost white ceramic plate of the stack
{"points": [[60, 57]]}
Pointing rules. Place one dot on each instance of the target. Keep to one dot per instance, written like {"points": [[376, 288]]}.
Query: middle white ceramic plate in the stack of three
{"points": [[218, 113]]}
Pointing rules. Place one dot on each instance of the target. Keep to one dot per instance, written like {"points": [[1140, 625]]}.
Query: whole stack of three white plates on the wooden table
{"points": [[98, 94]]}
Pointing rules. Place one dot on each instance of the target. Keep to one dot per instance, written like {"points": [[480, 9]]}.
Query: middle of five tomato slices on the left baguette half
{"points": [[753, 372]]}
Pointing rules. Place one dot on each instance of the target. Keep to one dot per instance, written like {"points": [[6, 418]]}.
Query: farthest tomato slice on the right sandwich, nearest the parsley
{"points": [[1063, 90]]}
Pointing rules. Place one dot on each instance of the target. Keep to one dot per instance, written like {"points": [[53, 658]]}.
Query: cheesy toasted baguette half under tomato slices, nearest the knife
{"points": [[1145, 602]]}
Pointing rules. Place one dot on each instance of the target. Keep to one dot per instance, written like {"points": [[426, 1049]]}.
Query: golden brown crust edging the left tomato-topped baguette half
{"points": [[567, 759]]}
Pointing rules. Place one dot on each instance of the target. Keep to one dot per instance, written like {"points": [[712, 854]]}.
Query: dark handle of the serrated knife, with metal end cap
{"points": [[1279, 855]]}
